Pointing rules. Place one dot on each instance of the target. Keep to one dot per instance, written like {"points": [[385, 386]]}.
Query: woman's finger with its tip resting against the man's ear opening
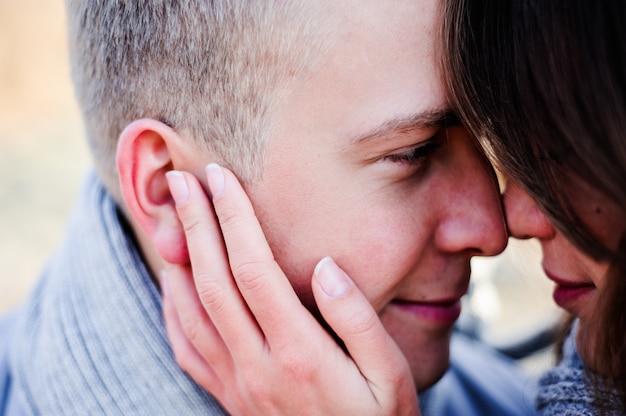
{"points": [[215, 286]]}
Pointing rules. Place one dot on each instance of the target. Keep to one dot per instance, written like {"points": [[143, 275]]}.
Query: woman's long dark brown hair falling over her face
{"points": [[543, 83]]}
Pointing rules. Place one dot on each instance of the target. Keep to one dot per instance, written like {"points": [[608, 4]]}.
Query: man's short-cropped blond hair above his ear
{"points": [[210, 69]]}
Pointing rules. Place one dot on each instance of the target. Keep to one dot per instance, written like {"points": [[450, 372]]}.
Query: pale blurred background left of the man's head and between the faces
{"points": [[43, 159]]}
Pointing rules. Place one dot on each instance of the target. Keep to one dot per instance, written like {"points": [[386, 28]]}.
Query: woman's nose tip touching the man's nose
{"points": [[523, 216]]}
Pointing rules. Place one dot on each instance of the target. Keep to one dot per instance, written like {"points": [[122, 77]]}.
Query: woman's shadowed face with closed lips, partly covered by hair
{"points": [[578, 278]]}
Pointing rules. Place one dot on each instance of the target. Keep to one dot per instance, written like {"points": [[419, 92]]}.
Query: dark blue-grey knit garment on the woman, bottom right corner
{"points": [[568, 389]]}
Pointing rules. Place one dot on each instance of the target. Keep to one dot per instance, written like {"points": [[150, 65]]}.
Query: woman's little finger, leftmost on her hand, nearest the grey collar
{"points": [[185, 353]]}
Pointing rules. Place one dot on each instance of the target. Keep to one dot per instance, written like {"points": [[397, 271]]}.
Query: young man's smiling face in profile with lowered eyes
{"points": [[360, 169]]}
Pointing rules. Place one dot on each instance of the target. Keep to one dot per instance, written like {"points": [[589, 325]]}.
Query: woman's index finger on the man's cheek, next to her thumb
{"points": [[262, 283]]}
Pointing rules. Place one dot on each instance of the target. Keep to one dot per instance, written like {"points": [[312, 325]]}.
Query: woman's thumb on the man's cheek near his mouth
{"points": [[354, 320]]}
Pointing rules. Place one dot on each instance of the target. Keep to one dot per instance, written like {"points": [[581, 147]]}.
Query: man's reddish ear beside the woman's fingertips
{"points": [[147, 149]]}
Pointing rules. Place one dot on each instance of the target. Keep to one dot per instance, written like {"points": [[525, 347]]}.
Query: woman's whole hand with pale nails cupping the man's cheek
{"points": [[238, 328]]}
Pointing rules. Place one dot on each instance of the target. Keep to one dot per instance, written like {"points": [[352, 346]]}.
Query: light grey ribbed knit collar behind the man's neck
{"points": [[93, 340]]}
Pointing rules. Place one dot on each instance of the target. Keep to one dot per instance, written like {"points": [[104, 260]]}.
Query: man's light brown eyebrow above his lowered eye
{"points": [[421, 120]]}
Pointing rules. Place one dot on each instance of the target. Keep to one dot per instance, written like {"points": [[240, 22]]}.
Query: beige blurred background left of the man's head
{"points": [[42, 154]]}
